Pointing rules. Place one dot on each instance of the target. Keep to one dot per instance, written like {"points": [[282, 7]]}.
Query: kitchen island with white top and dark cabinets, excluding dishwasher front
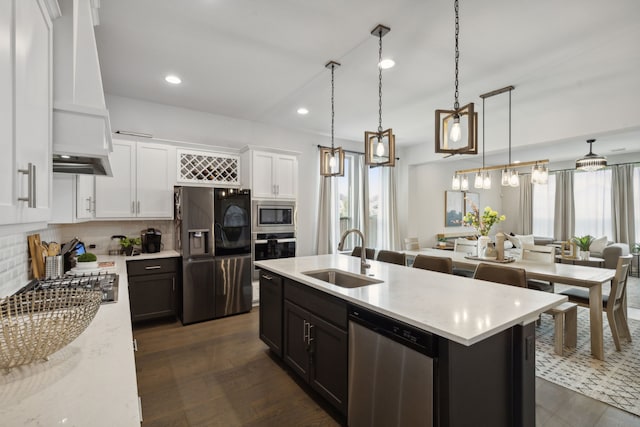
{"points": [[484, 333]]}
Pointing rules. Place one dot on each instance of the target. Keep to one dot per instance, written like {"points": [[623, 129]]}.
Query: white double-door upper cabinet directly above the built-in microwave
{"points": [[271, 175]]}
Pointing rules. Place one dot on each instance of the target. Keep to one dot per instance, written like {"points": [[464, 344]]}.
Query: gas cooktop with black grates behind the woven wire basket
{"points": [[107, 283]]}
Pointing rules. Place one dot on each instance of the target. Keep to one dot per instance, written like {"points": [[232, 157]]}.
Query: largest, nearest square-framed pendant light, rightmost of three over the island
{"points": [[457, 129]]}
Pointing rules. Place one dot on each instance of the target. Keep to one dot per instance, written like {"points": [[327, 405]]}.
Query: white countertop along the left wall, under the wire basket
{"points": [[90, 382]]}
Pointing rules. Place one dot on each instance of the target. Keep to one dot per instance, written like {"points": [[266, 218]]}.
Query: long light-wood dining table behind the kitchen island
{"points": [[591, 278]]}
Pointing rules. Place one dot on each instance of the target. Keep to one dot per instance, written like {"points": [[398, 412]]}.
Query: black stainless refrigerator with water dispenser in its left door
{"points": [[213, 235]]}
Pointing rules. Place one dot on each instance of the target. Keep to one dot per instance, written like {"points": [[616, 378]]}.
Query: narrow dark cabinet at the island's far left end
{"points": [[271, 311]]}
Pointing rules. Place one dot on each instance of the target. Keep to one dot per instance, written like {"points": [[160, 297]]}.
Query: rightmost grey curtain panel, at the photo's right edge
{"points": [[622, 214]]}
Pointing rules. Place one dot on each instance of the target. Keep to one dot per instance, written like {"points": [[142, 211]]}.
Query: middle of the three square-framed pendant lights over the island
{"points": [[380, 146]]}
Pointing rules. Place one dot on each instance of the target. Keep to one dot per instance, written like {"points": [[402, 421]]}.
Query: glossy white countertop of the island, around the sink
{"points": [[460, 309]]}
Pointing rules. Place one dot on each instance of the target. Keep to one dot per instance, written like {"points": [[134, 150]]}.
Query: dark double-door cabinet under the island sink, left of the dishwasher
{"points": [[316, 341]]}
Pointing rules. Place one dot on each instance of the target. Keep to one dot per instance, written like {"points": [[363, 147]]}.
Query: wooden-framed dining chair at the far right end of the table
{"points": [[614, 303]]}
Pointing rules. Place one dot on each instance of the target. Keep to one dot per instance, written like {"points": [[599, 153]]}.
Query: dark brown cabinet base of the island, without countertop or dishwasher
{"points": [[491, 382]]}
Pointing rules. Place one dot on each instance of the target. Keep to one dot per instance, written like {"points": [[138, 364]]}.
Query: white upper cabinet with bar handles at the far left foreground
{"points": [[25, 111]]}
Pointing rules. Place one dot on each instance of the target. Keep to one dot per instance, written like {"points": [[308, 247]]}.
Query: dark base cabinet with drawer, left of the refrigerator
{"points": [[153, 285]]}
